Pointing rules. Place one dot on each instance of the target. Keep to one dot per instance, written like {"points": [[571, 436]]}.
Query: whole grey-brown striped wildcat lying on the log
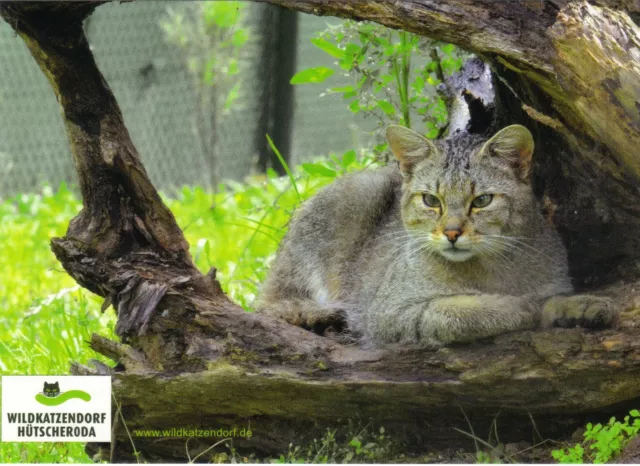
{"points": [[449, 246]]}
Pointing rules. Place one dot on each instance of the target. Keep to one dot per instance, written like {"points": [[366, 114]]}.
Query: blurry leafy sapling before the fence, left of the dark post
{"points": [[211, 36]]}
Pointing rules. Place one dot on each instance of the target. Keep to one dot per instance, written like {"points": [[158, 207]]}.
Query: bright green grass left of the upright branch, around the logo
{"points": [[46, 318]]}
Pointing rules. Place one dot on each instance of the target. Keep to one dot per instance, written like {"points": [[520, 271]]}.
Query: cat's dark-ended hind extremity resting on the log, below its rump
{"points": [[305, 313]]}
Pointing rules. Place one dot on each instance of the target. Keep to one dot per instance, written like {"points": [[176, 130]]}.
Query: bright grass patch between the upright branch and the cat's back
{"points": [[240, 227]]}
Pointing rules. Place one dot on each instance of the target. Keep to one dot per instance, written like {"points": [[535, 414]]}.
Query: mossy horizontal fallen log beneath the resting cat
{"points": [[549, 381]]}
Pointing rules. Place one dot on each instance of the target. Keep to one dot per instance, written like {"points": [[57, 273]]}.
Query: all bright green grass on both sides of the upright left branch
{"points": [[46, 319]]}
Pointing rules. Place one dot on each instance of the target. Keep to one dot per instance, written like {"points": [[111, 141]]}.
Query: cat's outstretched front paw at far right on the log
{"points": [[578, 311]]}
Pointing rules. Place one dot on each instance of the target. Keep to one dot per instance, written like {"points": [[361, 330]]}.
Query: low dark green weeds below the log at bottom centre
{"points": [[365, 446]]}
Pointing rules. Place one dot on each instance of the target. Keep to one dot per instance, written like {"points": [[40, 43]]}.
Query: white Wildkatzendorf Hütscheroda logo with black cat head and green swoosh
{"points": [[56, 408]]}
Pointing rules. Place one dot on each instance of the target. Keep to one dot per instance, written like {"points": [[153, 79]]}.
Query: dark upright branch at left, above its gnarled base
{"points": [[122, 211]]}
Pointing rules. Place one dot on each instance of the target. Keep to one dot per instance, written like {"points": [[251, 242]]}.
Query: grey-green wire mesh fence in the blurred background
{"points": [[161, 103]]}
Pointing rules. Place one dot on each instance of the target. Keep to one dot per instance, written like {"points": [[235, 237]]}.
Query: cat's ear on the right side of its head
{"points": [[514, 144]]}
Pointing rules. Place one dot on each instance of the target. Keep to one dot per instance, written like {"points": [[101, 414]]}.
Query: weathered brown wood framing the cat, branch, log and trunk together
{"points": [[191, 358]]}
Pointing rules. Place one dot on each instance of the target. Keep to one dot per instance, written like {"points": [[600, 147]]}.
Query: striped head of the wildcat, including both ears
{"points": [[465, 197]]}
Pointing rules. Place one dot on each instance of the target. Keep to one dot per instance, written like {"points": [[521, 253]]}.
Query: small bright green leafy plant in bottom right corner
{"points": [[601, 442]]}
